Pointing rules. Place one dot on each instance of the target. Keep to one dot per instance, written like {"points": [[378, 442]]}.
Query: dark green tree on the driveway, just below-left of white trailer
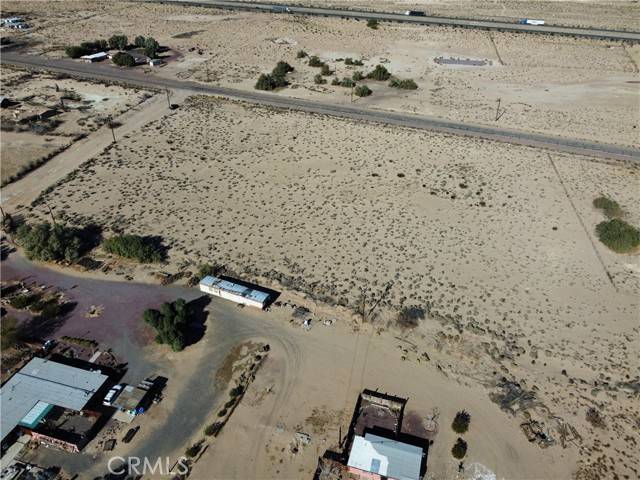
{"points": [[170, 323]]}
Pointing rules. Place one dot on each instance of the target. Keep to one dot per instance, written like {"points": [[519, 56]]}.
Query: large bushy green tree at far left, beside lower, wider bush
{"points": [[50, 243]]}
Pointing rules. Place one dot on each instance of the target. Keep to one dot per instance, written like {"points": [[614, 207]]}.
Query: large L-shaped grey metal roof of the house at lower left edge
{"points": [[45, 381]]}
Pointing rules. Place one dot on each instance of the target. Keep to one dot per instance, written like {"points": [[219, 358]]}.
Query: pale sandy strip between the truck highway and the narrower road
{"points": [[571, 87]]}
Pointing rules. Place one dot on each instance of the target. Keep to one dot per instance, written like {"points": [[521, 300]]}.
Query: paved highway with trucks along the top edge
{"points": [[633, 37]]}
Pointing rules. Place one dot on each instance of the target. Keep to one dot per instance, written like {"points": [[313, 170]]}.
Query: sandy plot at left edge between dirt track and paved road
{"points": [[86, 107]]}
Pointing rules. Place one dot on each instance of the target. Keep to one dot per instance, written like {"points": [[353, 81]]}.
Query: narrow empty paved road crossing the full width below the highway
{"points": [[105, 72]]}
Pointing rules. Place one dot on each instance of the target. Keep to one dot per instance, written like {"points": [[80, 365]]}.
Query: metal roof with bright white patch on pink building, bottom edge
{"points": [[385, 457]]}
